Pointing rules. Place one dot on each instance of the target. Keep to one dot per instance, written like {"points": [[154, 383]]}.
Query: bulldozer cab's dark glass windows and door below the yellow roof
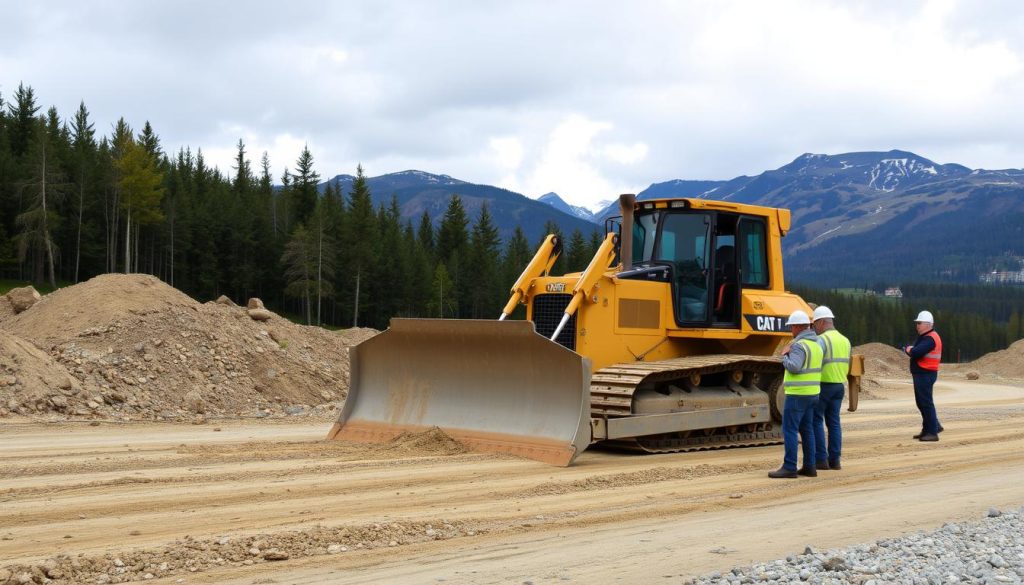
{"points": [[709, 257]]}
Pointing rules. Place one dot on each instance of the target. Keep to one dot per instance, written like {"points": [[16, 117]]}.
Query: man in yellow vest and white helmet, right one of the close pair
{"points": [[835, 367]]}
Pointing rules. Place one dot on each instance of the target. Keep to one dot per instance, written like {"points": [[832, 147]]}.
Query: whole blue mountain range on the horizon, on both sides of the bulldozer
{"points": [[859, 219]]}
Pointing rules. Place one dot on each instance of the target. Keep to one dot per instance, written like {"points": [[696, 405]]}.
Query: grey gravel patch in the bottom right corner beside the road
{"points": [[987, 552]]}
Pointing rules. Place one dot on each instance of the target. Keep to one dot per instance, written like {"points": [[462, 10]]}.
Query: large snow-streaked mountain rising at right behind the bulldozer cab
{"points": [[874, 215]]}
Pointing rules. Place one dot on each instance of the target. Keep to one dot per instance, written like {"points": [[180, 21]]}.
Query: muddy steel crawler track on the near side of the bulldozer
{"points": [[613, 390]]}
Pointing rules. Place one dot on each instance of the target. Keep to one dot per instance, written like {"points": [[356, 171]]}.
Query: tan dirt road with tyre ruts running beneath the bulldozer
{"points": [[212, 504]]}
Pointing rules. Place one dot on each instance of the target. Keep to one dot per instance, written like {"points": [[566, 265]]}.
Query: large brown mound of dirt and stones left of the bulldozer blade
{"points": [[137, 348]]}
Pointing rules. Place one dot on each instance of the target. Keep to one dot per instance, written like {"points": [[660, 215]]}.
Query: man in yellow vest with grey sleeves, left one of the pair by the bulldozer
{"points": [[802, 381]]}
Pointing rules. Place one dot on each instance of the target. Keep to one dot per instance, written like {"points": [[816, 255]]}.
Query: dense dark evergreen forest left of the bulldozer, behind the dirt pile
{"points": [[75, 203]]}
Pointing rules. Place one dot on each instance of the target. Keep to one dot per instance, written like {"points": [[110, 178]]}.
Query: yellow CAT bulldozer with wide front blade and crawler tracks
{"points": [[668, 342]]}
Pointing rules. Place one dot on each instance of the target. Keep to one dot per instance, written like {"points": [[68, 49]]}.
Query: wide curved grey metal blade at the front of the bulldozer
{"points": [[494, 386]]}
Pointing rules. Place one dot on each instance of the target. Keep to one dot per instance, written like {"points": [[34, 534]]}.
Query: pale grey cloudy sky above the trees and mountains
{"points": [[588, 100]]}
